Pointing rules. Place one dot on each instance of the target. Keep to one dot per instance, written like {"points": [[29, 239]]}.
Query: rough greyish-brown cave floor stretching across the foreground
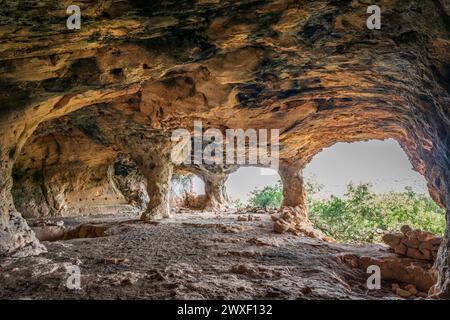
{"points": [[190, 256]]}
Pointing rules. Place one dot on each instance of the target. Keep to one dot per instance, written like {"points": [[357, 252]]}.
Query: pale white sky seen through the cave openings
{"points": [[383, 163]]}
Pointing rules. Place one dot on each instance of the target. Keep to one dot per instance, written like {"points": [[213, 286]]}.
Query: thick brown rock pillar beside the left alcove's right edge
{"points": [[158, 172]]}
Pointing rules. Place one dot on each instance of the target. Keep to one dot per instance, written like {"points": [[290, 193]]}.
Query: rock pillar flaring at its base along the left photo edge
{"points": [[16, 238]]}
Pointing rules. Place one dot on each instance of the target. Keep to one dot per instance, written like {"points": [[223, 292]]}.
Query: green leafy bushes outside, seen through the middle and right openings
{"points": [[362, 215]]}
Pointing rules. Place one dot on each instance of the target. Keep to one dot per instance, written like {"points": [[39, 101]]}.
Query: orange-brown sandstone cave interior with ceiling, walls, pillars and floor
{"points": [[87, 172]]}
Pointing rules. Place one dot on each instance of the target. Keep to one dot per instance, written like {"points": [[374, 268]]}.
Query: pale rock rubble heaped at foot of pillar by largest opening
{"points": [[295, 220]]}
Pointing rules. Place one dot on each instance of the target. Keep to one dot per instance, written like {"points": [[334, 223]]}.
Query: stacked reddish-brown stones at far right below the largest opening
{"points": [[414, 244]]}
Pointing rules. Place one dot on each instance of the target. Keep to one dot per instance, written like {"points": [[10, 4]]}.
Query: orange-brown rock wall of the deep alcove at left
{"points": [[52, 178]]}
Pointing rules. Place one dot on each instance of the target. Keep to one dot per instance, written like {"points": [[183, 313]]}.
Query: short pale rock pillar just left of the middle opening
{"points": [[216, 193]]}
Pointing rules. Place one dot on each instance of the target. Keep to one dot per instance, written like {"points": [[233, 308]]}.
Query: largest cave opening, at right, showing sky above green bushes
{"points": [[359, 191]]}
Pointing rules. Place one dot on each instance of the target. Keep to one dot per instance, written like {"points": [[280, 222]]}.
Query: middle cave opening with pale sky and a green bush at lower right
{"points": [[255, 187]]}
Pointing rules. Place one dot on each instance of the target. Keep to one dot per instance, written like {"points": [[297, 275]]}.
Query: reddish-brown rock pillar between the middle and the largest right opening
{"points": [[293, 186]]}
